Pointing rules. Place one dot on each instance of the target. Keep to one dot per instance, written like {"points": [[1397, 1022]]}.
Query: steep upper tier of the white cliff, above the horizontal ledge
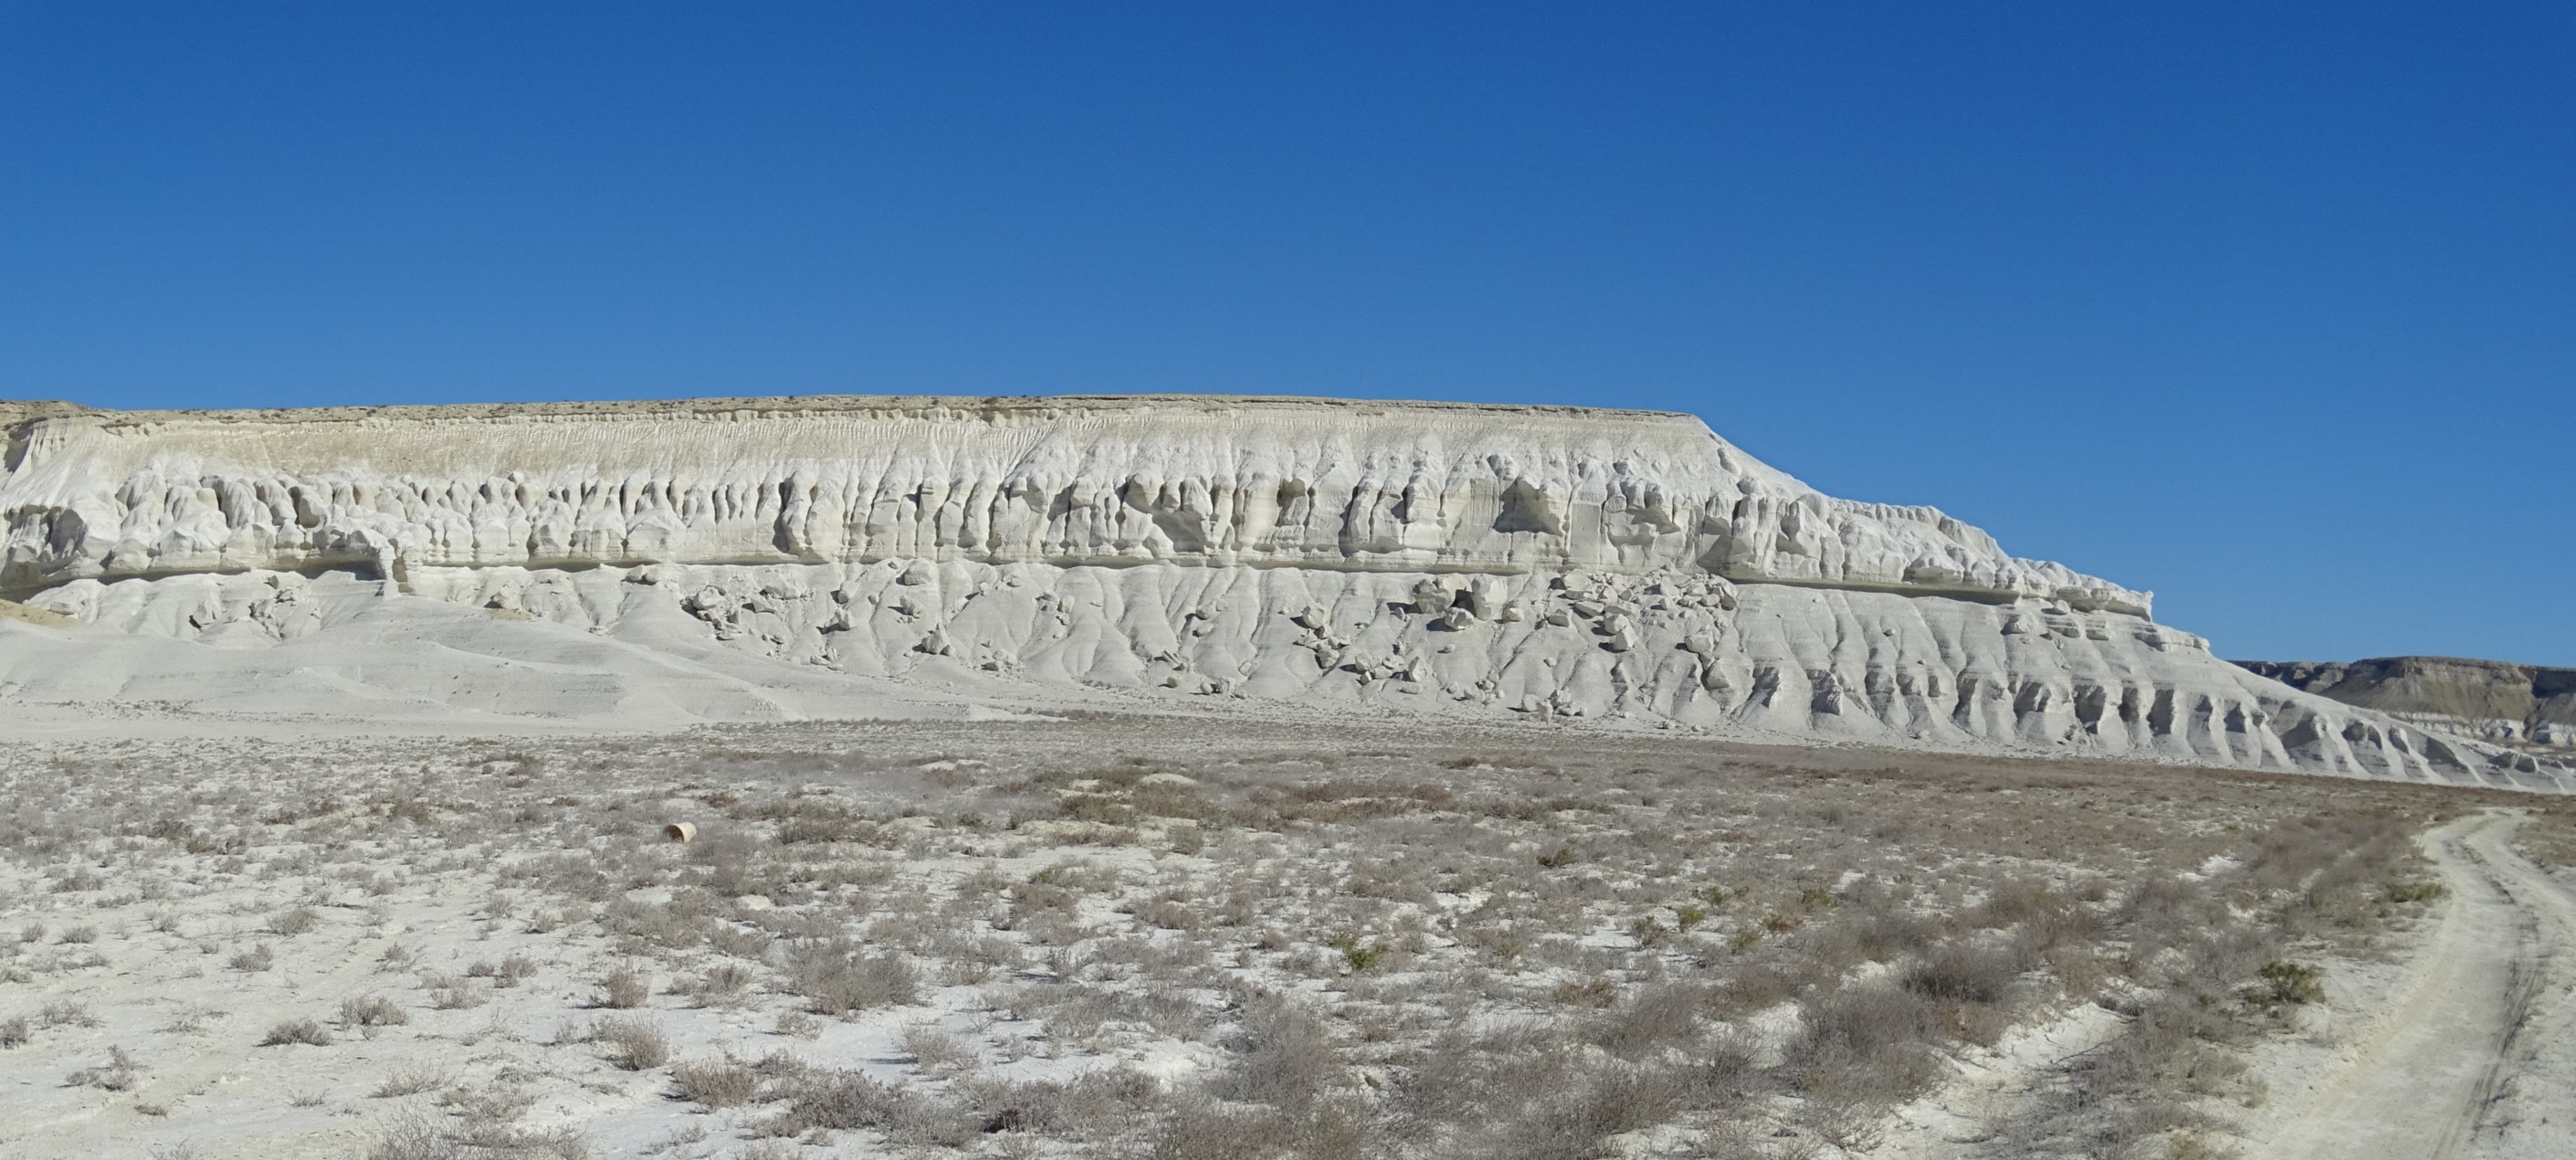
{"points": [[1114, 481]]}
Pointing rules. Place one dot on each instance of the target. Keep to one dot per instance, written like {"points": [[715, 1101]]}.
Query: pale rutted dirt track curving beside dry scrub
{"points": [[2469, 1061]]}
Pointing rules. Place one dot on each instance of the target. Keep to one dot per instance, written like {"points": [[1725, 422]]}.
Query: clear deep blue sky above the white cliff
{"points": [[2268, 308]]}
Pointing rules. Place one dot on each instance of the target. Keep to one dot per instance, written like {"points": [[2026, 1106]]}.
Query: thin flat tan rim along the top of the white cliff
{"points": [[14, 411]]}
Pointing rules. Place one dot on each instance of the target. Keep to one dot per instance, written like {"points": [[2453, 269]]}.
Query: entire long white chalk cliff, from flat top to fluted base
{"points": [[1490, 561]]}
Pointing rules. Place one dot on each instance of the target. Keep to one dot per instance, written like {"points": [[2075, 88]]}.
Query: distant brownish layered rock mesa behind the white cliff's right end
{"points": [[2503, 702]]}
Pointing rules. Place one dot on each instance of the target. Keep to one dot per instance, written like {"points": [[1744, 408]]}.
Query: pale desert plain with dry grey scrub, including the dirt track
{"points": [[1256, 937]]}
